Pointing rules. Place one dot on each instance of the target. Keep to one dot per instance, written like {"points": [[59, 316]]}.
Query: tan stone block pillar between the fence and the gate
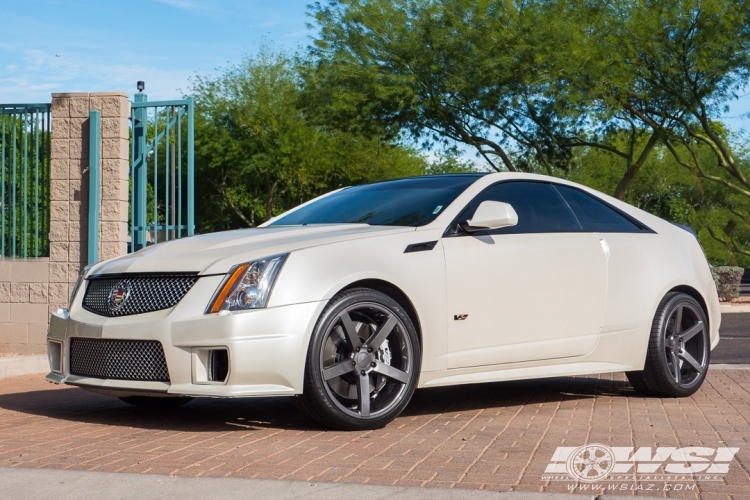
{"points": [[70, 184]]}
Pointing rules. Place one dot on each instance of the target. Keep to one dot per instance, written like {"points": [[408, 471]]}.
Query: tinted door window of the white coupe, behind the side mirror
{"points": [[540, 209]]}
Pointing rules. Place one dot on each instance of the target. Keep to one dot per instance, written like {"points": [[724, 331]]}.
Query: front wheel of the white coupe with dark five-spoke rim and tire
{"points": [[362, 363]]}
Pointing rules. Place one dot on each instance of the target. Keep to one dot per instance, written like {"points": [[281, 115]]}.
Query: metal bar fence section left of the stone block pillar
{"points": [[24, 180]]}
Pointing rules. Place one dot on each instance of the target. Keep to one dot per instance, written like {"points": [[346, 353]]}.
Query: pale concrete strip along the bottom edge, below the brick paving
{"points": [[56, 484]]}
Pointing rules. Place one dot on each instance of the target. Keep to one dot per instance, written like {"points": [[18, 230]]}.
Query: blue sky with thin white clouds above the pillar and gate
{"points": [[101, 45]]}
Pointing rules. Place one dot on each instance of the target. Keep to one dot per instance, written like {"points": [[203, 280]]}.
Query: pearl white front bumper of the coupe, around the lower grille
{"points": [[267, 347]]}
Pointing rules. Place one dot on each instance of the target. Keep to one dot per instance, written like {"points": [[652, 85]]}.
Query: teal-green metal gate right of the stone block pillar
{"points": [[162, 171]]}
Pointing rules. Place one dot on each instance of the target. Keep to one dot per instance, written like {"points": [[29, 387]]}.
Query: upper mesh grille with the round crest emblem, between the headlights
{"points": [[135, 294]]}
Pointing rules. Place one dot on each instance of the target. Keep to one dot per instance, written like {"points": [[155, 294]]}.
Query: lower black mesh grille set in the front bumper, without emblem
{"points": [[141, 360]]}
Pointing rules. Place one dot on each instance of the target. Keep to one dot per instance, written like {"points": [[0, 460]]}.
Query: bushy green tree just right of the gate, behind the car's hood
{"points": [[257, 154]]}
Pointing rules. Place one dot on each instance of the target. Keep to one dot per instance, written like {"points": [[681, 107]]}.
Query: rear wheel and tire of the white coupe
{"points": [[679, 350]]}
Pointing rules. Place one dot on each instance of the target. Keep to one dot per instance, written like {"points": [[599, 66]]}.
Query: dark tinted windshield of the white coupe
{"points": [[405, 202]]}
